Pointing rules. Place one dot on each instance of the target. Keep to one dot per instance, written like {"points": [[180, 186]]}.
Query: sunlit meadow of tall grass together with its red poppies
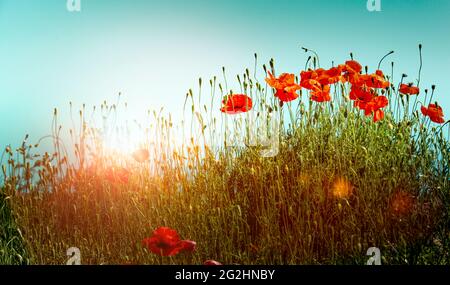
{"points": [[360, 162]]}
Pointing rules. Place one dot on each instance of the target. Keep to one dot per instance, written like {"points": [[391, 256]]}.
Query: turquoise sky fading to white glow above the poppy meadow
{"points": [[153, 51]]}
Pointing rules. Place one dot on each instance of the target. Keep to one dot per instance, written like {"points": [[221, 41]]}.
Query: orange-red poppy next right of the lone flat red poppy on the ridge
{"points": [[285, 86]]}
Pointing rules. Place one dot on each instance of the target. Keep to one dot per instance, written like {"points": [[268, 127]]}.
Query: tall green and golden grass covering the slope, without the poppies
{"points": [[239, 207]]}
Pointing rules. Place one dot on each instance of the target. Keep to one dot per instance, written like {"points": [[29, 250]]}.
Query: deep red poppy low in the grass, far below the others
{"points": [[166, 242]]}
